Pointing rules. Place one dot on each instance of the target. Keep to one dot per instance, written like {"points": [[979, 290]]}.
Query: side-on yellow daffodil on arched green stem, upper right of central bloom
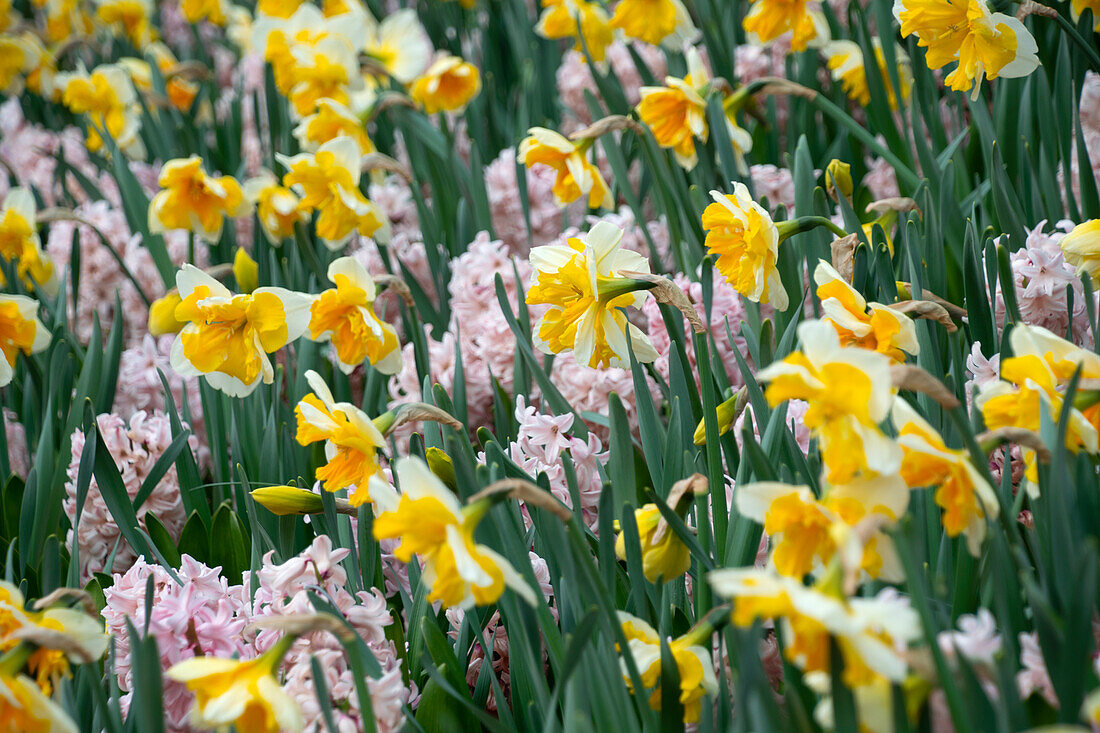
{"points": [[746, 242]]}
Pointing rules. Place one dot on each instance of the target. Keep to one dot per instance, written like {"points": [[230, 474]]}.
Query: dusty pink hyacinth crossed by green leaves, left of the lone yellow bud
{"points": [[135, 447]]}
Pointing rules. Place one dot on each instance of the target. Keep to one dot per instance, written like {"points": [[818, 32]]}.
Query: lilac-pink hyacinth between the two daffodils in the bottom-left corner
{"points": [[197, 618]]}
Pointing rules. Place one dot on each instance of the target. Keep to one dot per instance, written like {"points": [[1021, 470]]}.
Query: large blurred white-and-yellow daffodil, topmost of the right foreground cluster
{"points": [[850, 392]]}
